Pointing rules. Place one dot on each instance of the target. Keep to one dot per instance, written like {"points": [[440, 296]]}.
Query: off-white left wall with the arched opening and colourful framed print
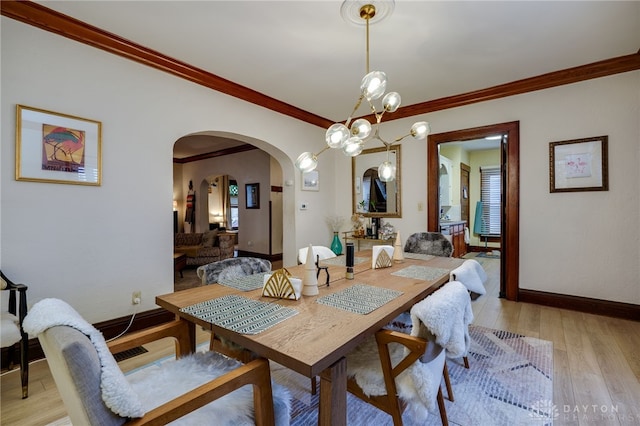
{"points": [[93, 246]]}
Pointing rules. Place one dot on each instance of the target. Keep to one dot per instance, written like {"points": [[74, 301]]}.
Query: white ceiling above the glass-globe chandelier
{"points": [[303, 52]]}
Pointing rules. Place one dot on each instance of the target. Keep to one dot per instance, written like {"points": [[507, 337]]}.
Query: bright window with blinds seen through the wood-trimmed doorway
{"points": [[490, 195]]}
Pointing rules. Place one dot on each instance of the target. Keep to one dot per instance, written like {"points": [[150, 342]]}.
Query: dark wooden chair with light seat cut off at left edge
{"points": [[12, 333]]}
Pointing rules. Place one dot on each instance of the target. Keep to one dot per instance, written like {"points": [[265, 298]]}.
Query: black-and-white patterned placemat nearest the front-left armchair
{"points": [[239, 314]]}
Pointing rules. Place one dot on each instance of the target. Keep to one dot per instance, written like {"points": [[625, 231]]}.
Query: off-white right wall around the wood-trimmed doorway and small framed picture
{"points": [[582, 243]]}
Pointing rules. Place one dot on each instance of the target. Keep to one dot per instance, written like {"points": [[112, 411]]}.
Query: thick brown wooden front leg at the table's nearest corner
{"points": [[333, 395]]}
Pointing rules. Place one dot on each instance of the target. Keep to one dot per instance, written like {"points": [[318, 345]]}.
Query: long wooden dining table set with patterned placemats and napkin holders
{"points": [[315, 341]]}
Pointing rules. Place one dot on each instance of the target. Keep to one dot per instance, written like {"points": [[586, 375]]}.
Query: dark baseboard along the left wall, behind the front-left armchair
{"points": [[109, 329]]}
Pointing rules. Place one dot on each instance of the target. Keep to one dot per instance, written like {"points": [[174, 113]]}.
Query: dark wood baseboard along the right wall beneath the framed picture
{"points": [[582, 304]]}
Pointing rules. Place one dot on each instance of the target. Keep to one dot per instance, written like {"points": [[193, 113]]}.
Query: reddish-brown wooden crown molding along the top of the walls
{"points": [[58, 23]]}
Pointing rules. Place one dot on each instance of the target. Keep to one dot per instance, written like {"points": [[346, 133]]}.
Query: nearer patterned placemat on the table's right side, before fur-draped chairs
{"points": [[359, 298]]}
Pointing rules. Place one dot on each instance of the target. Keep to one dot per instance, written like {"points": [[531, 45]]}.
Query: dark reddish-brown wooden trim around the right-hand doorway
{"points": [[510, 258]]}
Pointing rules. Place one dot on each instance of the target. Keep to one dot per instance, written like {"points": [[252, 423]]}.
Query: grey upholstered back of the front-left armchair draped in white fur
{"points": [[75, 367]]}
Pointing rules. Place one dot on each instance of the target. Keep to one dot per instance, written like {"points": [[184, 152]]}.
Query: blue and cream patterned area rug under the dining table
{"points": [[509, 382]]}
